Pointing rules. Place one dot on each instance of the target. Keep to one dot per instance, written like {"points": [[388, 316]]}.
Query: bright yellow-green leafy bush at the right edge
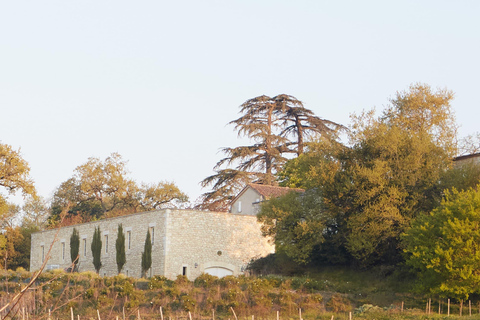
{"points": [[444, 246]]}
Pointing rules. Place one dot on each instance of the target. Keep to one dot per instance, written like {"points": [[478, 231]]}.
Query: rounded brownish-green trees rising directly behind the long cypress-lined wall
{"points": [[102, 189]]}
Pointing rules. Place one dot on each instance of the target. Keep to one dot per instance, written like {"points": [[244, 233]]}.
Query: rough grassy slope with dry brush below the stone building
{"points": [[374, 294]]}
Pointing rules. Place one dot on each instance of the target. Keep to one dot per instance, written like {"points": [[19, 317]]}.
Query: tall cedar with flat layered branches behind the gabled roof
{"points": [[278, 126]]}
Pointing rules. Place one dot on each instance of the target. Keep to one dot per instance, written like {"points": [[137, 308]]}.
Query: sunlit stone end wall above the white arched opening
{"points": [[200, 240]]}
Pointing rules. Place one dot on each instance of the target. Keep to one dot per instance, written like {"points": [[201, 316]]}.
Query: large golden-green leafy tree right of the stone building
{"points": [[390, 173]]}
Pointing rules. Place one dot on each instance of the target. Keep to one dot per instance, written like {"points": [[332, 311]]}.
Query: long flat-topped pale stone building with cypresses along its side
{"points": [[184, 242]]}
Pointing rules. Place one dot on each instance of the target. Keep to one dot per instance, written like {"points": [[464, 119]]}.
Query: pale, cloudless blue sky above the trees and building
{"points": [[157, 81]]}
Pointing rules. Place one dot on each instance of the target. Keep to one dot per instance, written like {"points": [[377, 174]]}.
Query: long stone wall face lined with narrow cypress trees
{"points": [[135, 228]]}
